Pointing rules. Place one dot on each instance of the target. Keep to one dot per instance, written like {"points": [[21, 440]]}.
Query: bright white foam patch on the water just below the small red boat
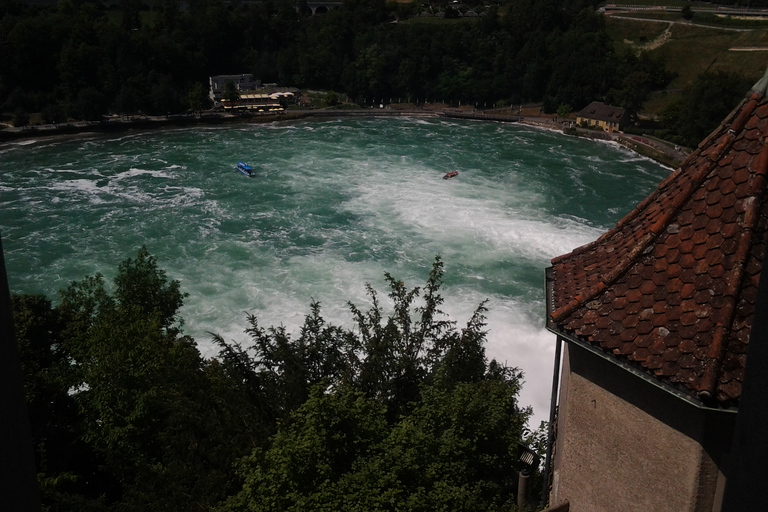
{"points": [[456, 216]]}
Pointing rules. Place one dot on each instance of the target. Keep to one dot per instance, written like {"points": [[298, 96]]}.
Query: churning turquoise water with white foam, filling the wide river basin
{"points": [[334, 205]]}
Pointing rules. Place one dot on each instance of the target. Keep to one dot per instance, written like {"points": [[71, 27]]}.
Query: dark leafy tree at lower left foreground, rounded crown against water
{"points": [[127, 414]]}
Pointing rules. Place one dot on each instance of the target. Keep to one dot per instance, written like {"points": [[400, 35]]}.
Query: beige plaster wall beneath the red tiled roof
{"points": [[623, 444]]}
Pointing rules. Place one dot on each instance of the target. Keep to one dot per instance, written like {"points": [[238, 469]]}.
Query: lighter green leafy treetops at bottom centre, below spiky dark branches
{"points": [[455, 451]]}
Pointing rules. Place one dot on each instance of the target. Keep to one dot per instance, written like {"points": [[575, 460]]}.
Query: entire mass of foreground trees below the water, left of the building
{"points": [[402, 412]]}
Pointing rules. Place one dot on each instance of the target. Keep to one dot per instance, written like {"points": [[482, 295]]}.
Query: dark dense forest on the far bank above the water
{"points": [[78, 59]]}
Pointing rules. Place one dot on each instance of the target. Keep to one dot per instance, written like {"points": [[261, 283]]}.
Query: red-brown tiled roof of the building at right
{"points": [[671, 289]]}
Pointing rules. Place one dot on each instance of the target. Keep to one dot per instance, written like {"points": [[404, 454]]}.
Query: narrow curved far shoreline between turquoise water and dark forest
{"points": [[146, 123]]}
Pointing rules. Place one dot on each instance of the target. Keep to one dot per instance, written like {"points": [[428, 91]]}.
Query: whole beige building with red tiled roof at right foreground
{"points": [[655, 318]]}
